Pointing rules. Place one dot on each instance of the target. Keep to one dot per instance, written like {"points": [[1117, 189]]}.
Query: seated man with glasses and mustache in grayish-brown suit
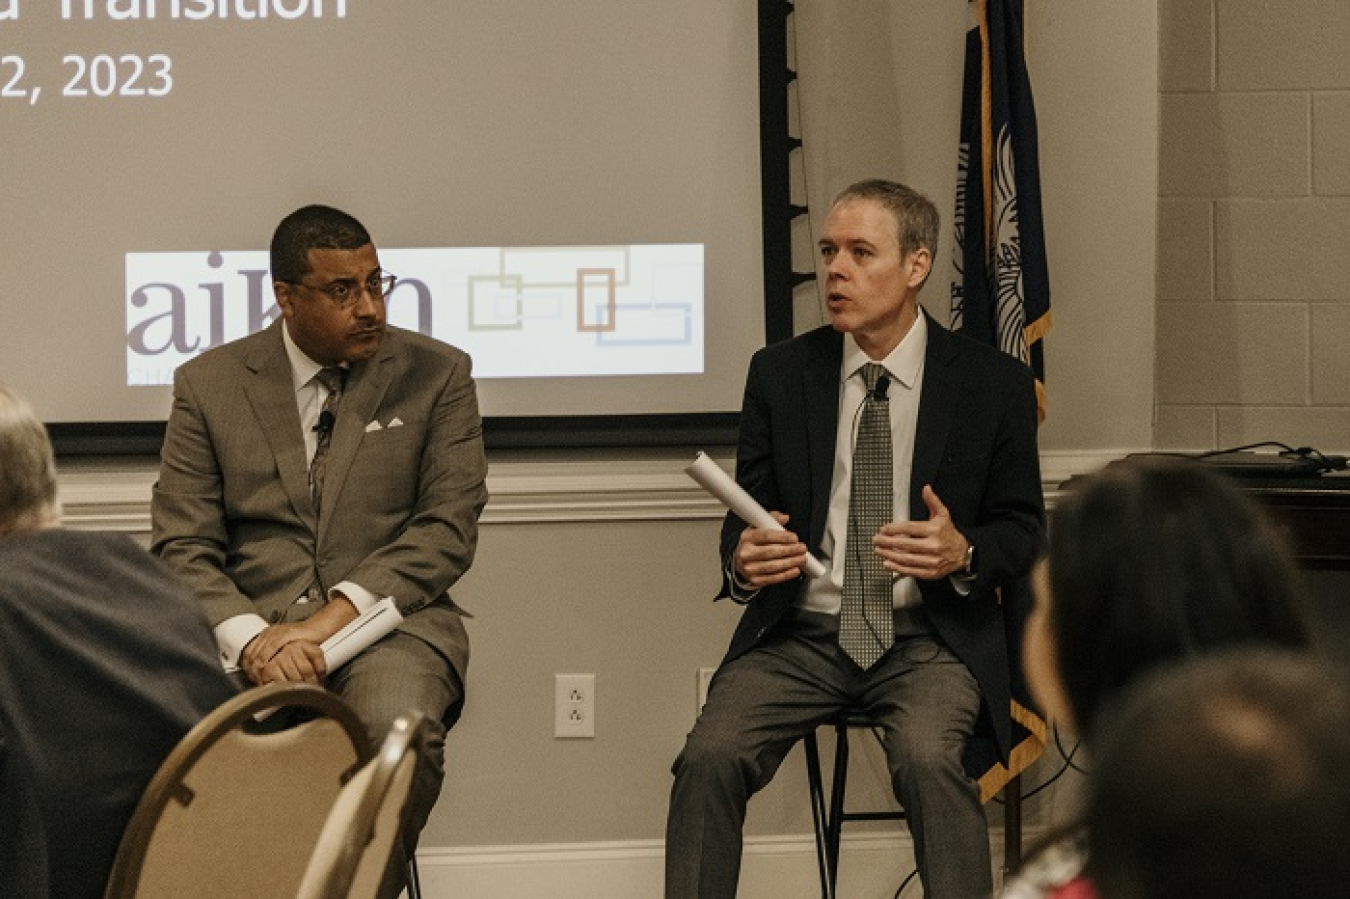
{"points": [[325, 464]]}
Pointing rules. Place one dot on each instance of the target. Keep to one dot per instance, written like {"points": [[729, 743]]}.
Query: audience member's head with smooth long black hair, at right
{"points": [[1152, 561]]}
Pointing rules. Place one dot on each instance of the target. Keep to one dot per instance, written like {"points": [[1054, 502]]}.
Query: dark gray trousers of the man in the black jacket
{"points": [[761, 704]]}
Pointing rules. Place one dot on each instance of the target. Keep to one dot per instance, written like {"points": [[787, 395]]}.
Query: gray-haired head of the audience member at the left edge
{"points": [[28, 469]]}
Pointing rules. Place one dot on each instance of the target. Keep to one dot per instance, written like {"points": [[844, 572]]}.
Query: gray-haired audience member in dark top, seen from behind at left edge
{"points": [[106, 663]]}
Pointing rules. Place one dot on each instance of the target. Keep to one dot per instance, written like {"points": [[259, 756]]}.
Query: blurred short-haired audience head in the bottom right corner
{"points": [[1225, 778]]}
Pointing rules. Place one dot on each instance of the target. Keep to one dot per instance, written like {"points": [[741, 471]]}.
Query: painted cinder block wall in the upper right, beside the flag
{"points": [[1253, 327]]}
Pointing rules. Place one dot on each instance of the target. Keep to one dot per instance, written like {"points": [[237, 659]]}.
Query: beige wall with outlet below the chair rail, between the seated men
{"points": [[630, 603]]}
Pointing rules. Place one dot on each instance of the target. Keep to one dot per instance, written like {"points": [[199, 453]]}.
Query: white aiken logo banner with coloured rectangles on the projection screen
{"points": [[519, 311]]}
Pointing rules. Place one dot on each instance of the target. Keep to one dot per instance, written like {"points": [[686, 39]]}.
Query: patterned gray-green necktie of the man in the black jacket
{"points": [[867, 628]]}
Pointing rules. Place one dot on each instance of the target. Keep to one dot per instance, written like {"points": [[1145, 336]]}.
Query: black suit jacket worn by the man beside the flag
{"points": [[975, 445]]}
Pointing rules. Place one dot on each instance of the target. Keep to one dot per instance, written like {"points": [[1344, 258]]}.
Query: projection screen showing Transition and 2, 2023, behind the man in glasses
{"points": [[568, 191]]}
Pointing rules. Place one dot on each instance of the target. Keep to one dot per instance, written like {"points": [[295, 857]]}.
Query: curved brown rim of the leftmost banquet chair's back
{"points": [[244, 711]]}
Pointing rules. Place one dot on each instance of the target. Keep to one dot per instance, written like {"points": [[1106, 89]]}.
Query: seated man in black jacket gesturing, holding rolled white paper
{"points": [[966, 518]]}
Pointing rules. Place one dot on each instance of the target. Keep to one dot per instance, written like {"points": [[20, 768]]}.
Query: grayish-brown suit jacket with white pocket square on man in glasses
{"points": [[233, 515]]}
